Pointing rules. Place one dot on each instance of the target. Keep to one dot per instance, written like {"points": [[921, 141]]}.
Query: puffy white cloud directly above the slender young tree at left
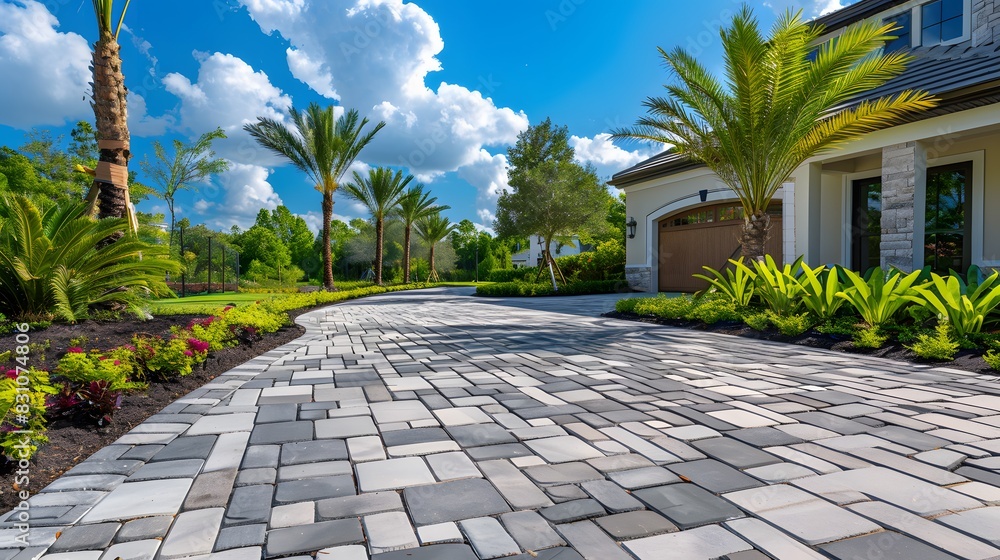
{"points": [[228, 94]]}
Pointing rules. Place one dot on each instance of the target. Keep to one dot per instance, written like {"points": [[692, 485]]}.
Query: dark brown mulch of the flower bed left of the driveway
{"points": [[71, 443]]}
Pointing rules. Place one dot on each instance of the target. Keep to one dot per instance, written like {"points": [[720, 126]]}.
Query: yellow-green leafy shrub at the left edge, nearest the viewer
{"points": [[22, 407]]}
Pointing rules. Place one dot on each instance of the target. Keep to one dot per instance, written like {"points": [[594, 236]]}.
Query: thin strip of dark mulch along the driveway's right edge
{"points": [[968, 360]]}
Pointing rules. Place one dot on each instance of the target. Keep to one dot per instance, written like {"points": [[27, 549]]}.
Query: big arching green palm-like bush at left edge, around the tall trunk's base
{"points": [[54, 263]]}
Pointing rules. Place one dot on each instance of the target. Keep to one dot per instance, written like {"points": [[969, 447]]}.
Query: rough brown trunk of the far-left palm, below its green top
{"points": [[111, 113]]}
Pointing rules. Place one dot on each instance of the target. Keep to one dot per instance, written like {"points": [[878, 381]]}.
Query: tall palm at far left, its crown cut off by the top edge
{"points": [[109, 192]]}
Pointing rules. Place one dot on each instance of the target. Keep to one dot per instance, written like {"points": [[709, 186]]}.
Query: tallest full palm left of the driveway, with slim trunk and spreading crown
{"points": [[321, 147]]}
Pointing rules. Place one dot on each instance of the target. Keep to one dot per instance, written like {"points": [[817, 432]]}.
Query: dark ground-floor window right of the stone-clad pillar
{"points": [[947, 229]]}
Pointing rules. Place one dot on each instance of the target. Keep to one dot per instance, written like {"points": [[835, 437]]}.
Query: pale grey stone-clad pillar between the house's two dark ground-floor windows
{"points": [[900, 178]]}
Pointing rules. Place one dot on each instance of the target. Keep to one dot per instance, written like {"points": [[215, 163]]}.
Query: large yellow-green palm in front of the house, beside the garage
{"points": [[779, 105]]}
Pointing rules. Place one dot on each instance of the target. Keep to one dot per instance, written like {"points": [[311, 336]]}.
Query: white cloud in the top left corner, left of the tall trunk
{"points": [[47, 72]]}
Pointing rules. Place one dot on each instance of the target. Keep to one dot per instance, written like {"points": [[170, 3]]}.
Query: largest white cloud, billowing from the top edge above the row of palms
{"points": [[334, 42]]}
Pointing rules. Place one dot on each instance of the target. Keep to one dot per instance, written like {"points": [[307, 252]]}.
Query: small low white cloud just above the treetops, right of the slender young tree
{"points": [[244, 191]]}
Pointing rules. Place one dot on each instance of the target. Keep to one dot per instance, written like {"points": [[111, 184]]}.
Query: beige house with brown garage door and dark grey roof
{"points": [[923, 192]]}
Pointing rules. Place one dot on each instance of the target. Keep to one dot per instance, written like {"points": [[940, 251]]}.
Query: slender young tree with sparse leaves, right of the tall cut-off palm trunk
{"points": [[190, 164]]}
